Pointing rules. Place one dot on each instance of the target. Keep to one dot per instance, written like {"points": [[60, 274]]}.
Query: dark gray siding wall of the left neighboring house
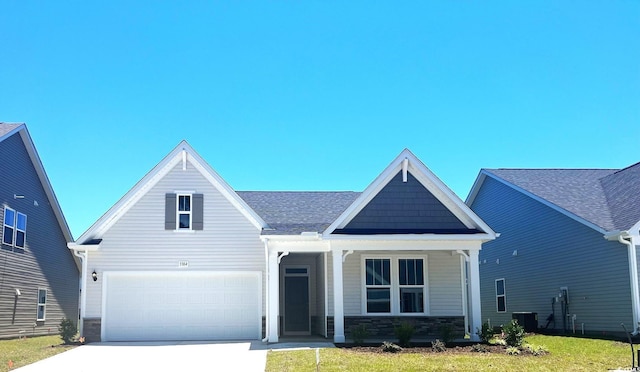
{"points": [[45, 262]]}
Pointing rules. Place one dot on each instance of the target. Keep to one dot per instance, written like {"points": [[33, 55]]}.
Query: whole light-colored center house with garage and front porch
{"points": [[182, 256]]}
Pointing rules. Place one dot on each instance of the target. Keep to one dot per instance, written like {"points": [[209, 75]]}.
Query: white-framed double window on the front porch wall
{"points": [[395, 285]]}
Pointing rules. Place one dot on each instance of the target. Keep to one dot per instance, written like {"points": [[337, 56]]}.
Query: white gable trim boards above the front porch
{"points": [[428, 179]]}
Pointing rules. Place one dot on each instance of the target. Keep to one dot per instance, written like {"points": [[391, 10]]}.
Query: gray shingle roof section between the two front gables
{"points": [[294, 212]]}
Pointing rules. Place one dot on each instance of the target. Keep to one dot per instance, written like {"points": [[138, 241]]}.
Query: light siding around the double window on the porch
{"points": [[443, 275]]}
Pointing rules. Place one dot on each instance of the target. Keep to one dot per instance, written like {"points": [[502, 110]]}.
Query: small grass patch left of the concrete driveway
{"points": [[29, 350]]}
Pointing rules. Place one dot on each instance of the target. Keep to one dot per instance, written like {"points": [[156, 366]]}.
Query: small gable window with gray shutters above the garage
{"points": [[183, 212]]}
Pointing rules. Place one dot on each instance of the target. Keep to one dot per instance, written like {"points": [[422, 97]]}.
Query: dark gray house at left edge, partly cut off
{"points": [[39, 276]]}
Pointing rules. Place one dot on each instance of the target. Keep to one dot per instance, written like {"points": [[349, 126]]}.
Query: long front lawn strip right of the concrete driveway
{"points": [[565, 354]]}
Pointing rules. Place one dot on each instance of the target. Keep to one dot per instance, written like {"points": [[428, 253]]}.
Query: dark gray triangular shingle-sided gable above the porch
{"points": [[405, 206]]}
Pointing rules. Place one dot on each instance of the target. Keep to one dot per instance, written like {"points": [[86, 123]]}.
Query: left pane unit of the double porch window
{"points": [[378, 285]]}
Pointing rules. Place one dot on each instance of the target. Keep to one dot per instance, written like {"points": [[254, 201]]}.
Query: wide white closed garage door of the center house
{"points": [[169, 306]]}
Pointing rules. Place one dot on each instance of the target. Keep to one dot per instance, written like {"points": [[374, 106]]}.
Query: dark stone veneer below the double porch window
{"points": [[378, 327]]}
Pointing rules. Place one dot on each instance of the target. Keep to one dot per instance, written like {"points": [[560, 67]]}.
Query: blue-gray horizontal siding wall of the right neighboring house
{"points": [[553, 251]]}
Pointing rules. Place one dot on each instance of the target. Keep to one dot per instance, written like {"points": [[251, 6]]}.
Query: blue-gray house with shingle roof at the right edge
{"points": [[568, 247]]}
